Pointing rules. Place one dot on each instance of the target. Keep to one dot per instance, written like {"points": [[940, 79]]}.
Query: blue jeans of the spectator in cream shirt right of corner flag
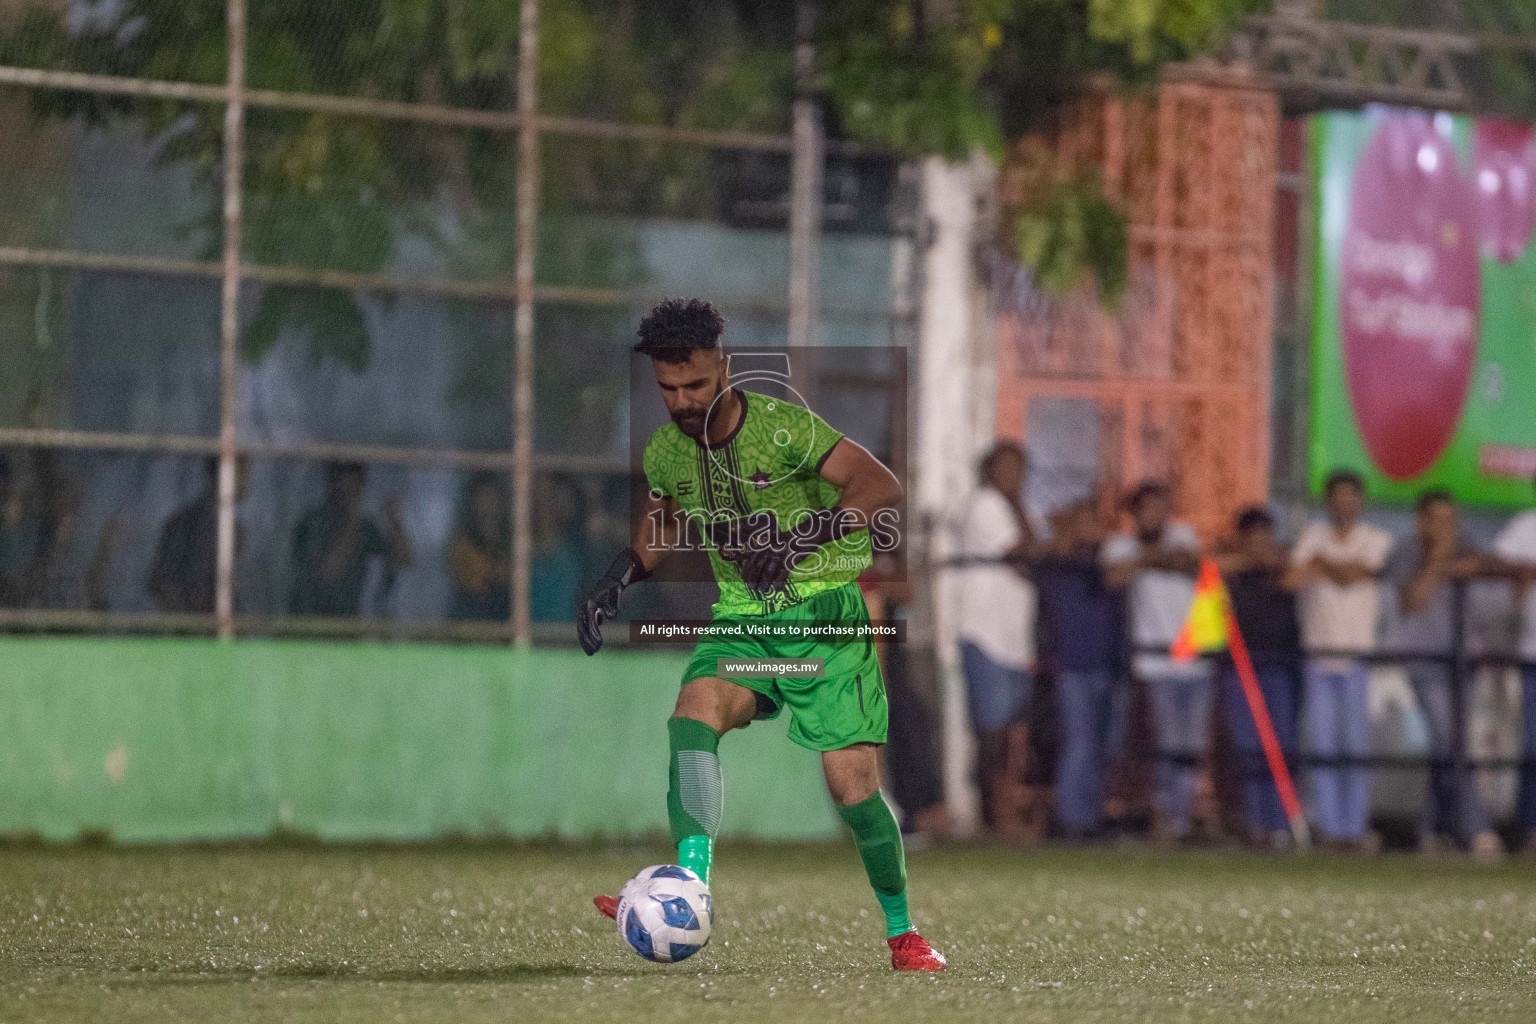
{"points": [[1337, 715]]}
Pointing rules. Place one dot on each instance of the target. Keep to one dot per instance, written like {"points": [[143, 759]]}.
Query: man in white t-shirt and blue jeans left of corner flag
{"points": [[1157, 564]]}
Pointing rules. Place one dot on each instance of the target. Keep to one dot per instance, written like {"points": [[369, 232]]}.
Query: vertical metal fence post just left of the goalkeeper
{"points": [[523, 328]]}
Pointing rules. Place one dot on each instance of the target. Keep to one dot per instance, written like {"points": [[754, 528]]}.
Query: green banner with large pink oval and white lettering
{"points": [[1425, 334]]}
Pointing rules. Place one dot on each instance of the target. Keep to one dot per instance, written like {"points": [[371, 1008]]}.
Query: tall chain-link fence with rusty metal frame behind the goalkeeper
{"points": [[317, 317]]}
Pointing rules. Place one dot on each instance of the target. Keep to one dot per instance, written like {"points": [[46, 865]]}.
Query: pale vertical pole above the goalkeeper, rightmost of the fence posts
{"points": [[806, 182]]}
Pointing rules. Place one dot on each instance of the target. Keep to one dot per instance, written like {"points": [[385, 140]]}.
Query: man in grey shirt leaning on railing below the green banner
{"points": [[1429, 581]]}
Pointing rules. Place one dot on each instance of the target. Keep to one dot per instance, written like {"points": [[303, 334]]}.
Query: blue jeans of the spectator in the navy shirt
{"points": [[1088, 722]]}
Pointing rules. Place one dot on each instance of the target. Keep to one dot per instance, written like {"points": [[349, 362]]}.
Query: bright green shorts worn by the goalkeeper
{"points": [[846, 707]]}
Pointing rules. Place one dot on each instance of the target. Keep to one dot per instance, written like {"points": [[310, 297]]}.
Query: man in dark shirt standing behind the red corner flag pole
{"points": [[1254, 573]]}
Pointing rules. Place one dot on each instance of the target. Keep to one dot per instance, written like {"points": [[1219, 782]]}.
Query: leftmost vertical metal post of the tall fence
{"points": [[230, 320]]}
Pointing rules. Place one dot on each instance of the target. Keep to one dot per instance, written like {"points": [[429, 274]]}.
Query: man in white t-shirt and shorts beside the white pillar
{"points": [[996, 626]]}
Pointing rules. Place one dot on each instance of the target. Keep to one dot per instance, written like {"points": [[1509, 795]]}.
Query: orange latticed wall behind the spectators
{"points": [[1182, 371]]}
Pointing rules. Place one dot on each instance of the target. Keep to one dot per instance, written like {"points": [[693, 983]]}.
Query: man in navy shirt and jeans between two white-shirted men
{"points": [[1084, 629]]}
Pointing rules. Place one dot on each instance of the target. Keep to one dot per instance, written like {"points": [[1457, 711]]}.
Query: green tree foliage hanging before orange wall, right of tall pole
{"points": [[993, 70]]}
